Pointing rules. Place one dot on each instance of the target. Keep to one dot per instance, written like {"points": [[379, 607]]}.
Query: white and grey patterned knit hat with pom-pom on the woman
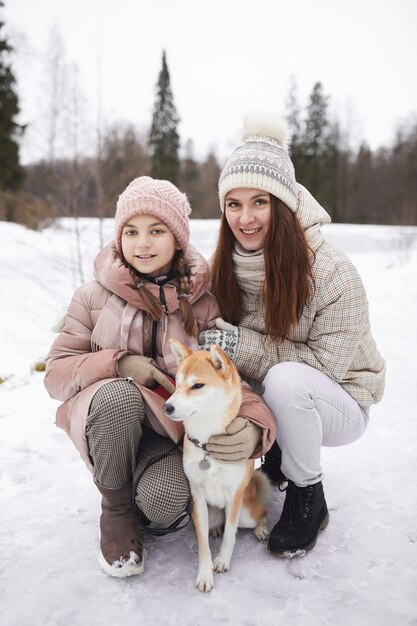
{"points": [[261, 161]]}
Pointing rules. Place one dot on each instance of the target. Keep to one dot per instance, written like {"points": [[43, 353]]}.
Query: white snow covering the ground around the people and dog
{"points": [[363, 570]]}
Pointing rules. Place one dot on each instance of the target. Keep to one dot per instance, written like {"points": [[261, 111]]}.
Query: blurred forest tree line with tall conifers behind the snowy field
{"points": [[355, 185]]}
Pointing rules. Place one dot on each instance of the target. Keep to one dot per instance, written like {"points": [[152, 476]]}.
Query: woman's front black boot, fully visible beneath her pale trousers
{"points": [[303, 516]]}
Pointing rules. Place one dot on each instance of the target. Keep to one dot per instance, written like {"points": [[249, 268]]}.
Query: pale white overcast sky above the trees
{"points": [[225, 57]]}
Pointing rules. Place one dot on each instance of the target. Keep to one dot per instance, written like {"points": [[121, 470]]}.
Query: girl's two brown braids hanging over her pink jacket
{"points": [[154, 307]]}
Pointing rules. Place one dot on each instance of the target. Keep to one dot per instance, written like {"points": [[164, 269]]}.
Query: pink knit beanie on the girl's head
{"points": [[145, 195]]}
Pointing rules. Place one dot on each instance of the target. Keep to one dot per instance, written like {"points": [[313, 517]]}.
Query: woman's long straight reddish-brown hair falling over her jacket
{"points": [[288, 283]]}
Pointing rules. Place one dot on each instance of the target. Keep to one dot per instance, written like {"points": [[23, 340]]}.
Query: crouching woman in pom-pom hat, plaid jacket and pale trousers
{"points": [[295, 323]]}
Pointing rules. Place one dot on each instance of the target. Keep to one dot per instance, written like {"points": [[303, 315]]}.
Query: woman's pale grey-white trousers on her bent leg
{"points": [[311, 411]]}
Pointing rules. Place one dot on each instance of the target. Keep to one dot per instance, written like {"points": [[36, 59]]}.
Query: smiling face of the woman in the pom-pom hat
{"points": [[248, 213]]}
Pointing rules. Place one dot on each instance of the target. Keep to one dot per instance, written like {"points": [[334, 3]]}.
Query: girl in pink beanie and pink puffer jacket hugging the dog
{"points": [[109, 366]]}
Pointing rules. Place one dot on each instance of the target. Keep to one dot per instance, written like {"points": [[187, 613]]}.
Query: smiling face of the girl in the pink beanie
{"points": [[148, 245]]}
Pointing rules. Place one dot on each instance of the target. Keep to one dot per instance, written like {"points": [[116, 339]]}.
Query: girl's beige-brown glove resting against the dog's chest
{"points": [[239, 444]]}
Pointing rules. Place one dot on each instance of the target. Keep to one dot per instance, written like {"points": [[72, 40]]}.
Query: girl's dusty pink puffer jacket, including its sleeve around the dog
{"points": [[105, 321]]}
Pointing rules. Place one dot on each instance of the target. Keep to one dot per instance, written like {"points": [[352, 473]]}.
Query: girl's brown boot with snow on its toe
{"points": [[121, 550]]}
